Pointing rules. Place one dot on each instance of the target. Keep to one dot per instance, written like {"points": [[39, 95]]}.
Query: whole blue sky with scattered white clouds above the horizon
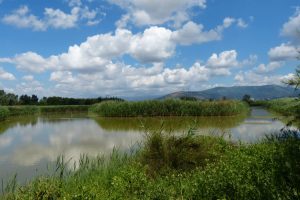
{"points": [[144, 48]]}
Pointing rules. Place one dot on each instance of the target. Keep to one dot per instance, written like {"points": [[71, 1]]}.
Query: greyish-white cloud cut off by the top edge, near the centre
{"points": [[155, 12]]}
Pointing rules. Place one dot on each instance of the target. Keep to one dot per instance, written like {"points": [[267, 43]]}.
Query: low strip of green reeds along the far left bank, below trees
{"points": [[8, 111]]}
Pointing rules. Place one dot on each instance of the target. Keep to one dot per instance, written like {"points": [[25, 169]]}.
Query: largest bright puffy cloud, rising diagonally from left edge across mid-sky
{"points": [[153, 45]]}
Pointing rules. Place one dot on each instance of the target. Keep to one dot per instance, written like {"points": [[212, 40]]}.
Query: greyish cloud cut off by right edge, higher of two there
{"points": [[292, 27]]}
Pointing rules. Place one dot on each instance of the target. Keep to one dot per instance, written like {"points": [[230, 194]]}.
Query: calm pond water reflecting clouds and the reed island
{"points": [[28, 145]]}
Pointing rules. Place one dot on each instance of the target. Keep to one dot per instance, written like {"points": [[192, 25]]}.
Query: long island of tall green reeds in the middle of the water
{"points": [[169, 108]]}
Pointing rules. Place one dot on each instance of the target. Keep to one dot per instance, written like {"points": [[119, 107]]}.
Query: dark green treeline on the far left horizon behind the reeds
{"points": [[10, 99]]}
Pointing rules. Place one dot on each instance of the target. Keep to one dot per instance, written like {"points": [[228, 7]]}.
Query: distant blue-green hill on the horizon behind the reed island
{"points": [[237, 92]]}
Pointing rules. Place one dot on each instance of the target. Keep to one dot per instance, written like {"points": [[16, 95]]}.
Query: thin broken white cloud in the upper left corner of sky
{"points": [[52, 18]]}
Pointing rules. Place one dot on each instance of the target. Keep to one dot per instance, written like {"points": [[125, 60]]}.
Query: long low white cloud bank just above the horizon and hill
{"points": [[126, 80]]}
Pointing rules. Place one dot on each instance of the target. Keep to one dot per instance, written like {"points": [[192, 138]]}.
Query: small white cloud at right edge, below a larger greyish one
{"points": [[284, 52]]}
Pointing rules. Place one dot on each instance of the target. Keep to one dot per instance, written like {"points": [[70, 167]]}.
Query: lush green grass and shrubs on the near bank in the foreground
{"points": [[179, 167]]}
